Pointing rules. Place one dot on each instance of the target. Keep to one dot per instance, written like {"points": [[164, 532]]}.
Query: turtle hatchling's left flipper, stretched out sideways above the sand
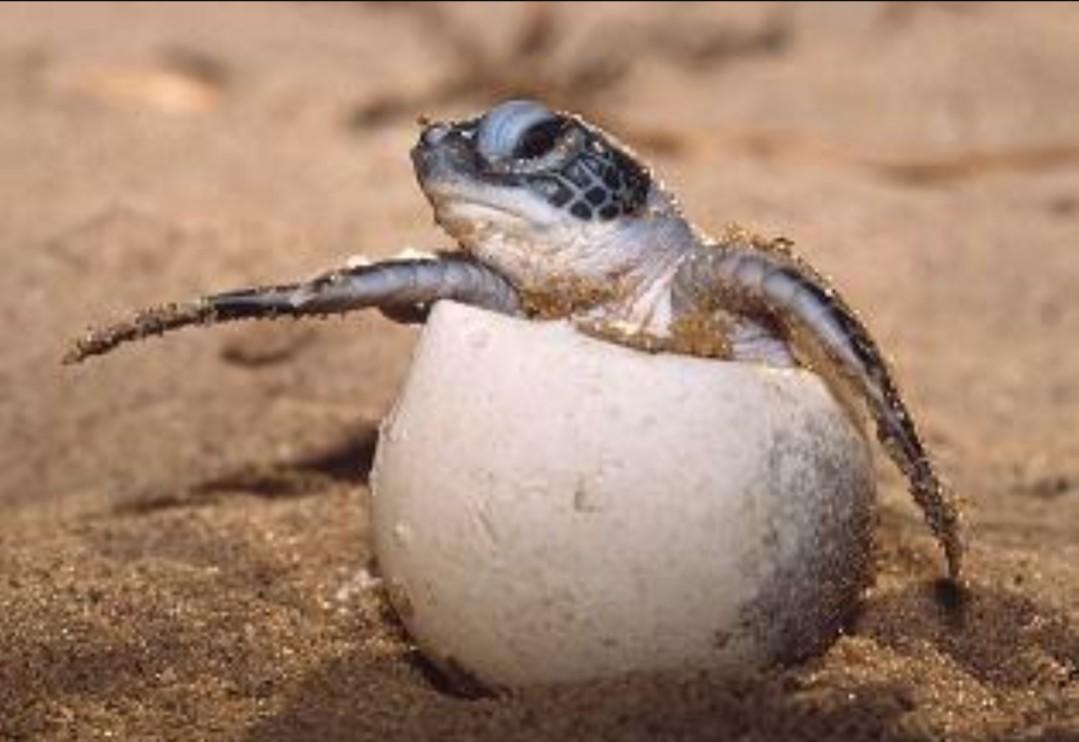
{"points": [[402, 290]]}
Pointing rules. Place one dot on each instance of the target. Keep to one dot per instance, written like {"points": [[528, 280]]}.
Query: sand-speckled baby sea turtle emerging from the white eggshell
{"points": [[557, 219]]}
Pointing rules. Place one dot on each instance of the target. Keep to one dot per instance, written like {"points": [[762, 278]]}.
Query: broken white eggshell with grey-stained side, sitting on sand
{"points": [[549, 507]]}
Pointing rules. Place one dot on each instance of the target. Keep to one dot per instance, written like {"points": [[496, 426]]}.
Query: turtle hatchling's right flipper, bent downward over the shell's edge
{"points": [[764, 279]]}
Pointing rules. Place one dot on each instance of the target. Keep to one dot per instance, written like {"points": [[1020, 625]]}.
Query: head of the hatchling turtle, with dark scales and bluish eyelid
{"points": [[539, 195]]}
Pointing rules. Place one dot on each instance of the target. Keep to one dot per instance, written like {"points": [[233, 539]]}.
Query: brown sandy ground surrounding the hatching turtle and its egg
{"points": [[185, 524]]}
